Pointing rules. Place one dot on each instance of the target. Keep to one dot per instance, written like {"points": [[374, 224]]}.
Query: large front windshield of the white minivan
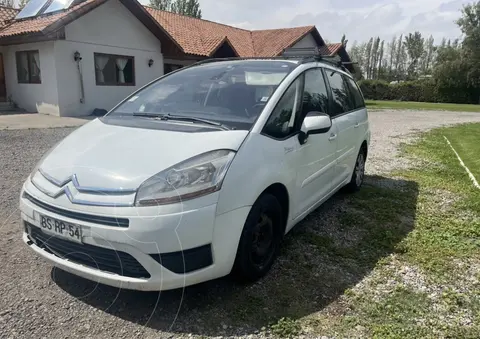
{"points": [[231, 93]]}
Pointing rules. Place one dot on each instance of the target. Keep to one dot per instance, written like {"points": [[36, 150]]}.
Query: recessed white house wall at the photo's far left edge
{"points": [[43, 97]]}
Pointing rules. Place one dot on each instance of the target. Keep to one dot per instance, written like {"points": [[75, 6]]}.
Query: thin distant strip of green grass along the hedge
{"points": [[378, 104]]}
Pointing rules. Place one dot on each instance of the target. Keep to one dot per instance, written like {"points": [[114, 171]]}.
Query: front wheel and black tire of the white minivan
{"points": [[260, 240]]}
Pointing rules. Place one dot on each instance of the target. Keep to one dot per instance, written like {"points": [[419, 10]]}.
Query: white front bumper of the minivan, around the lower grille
{"points": [[149, 235]]}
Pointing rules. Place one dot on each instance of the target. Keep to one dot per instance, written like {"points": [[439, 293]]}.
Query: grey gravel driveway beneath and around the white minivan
{"points": [[38, 301]]}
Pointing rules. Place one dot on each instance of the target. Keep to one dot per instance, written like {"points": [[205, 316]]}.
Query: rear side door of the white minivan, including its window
{"points": [[346, 123]]}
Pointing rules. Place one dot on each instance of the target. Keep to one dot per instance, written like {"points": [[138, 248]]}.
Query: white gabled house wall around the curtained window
{"points": [[110, 29]]}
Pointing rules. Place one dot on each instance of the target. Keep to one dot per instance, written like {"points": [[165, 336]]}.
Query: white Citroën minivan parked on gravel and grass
{"points": [[198, 174]]}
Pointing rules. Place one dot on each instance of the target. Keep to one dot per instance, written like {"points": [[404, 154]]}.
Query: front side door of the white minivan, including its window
{"points": [[317, 156]]}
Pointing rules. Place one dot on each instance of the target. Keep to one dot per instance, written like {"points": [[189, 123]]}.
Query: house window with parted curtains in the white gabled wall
{"points": [[114, 70]]}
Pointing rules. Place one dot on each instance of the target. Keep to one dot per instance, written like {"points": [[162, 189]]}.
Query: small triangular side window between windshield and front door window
{"points": [[281, 122]]}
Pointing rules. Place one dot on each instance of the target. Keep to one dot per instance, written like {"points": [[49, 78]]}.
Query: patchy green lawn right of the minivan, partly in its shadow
{"points": [[420, 229]]}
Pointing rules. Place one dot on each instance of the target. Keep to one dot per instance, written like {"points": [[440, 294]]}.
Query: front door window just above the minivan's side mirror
{"points": [[315, 95]]}
